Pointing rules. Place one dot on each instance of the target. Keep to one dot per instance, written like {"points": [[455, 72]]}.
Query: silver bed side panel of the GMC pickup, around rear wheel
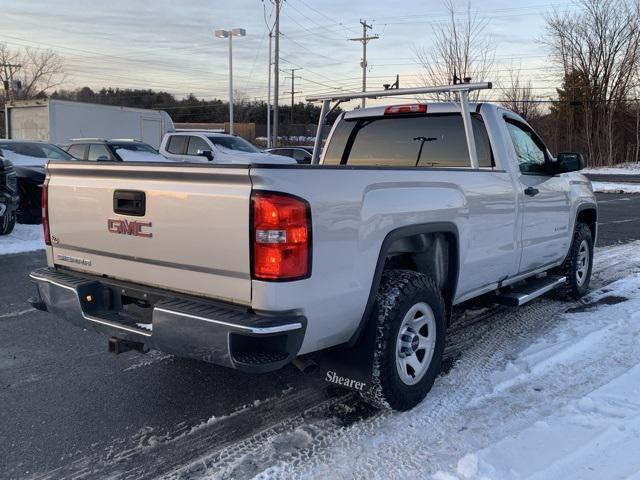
{"points": [[354, 209]]}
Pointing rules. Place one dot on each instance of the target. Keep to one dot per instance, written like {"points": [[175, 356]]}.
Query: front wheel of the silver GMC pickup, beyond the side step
{"points": [[577, 283]]}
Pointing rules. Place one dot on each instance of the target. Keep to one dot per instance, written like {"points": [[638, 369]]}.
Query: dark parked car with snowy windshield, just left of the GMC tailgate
{"points": [[29, 159]]}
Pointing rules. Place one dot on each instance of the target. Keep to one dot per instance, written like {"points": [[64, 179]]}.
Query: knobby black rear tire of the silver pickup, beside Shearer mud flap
{"points": [[401, 291]]}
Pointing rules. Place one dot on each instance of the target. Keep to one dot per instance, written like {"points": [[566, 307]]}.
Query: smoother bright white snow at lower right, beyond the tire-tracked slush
{"points": [[593, 436]]}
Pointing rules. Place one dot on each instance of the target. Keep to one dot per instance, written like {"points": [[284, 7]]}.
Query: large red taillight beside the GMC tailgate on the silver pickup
{"points": [[281, 236]]}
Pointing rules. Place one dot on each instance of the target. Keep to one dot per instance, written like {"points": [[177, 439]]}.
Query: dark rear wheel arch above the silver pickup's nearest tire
{"points": [[411, 241]]}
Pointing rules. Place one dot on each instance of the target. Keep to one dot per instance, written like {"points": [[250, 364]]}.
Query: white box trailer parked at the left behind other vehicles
{"points": [[58, 121]]}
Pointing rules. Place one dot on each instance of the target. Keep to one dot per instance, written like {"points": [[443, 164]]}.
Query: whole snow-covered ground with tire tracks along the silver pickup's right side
{"points": [[547, 391]]}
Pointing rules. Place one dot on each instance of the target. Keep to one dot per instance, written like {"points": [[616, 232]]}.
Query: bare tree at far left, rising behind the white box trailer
{"points": [[40, 70]]}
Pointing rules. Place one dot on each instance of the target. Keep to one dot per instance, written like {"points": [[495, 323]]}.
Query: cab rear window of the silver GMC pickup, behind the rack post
{"points": [[435, 140]]}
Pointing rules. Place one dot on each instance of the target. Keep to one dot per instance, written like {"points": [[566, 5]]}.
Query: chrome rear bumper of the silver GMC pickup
{"points": [[214, 332]]}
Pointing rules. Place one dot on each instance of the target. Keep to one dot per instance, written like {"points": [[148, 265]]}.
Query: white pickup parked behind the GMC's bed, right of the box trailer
{"points": [[207, 146]]}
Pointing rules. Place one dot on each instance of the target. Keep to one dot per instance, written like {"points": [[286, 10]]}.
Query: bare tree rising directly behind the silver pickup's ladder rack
{"points": [[460, 47]]}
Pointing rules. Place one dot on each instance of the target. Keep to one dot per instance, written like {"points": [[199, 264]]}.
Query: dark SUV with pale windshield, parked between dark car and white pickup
{"points": [[117, 150]]}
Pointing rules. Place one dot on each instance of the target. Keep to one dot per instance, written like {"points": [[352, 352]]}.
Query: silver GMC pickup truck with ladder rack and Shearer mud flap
{"points": [[411, 209]]}
